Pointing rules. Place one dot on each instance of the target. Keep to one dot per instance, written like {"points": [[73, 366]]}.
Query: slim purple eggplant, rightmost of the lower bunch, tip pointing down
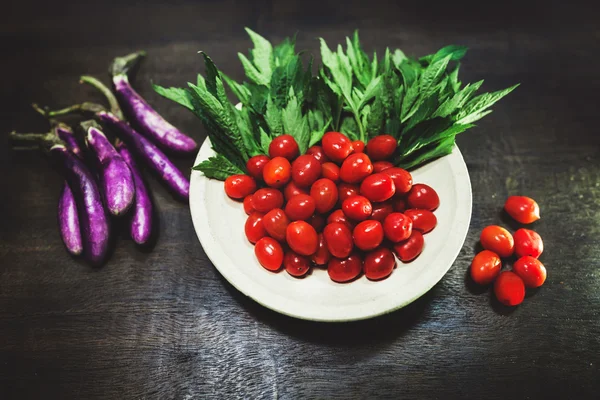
{"points": [[141, 220]]}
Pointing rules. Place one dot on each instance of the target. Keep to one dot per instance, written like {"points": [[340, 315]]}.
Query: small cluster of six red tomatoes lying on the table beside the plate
{"points": [[499, 243]]}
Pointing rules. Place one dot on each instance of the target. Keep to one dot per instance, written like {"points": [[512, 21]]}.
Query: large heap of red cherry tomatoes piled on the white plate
{"points": [[341, 205]]}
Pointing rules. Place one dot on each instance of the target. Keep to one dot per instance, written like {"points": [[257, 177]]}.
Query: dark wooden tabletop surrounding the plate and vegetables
{"points": [[164, 324]]}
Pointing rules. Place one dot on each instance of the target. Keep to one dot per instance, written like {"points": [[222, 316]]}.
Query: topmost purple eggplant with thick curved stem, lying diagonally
{"points": [[143, 116]]}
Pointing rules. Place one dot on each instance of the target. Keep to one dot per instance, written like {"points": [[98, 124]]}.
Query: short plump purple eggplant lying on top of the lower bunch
{"points": [[114, 173]]}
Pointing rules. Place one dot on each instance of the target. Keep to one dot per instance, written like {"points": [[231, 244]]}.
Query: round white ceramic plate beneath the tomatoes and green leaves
{"points": [[219, 223]]}
